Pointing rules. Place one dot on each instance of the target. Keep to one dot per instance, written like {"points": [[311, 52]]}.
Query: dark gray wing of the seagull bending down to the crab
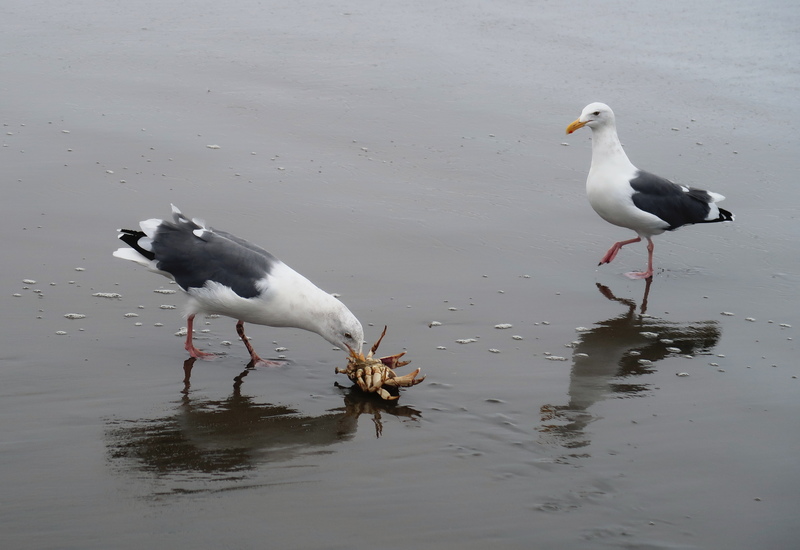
{"points": [[213, 256]]}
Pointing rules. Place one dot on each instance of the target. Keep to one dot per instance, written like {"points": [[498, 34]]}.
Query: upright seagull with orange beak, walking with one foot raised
{"points": [[626, 196]]}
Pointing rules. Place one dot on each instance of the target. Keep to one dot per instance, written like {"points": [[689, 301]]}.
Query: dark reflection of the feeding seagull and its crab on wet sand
{"points": [[223, 438]]}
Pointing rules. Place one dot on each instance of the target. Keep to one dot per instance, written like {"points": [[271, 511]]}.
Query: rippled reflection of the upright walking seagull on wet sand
{"points": [[607, 357]]}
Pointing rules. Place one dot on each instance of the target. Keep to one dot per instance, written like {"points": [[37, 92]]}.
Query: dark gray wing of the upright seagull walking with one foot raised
{"points": [[675, 204]]}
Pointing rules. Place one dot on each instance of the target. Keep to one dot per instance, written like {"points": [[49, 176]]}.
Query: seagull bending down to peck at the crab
{"points": [[226, 275]]}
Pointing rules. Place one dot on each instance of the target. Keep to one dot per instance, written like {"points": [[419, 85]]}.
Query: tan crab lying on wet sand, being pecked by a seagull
{"points": [[375, 375]]}
